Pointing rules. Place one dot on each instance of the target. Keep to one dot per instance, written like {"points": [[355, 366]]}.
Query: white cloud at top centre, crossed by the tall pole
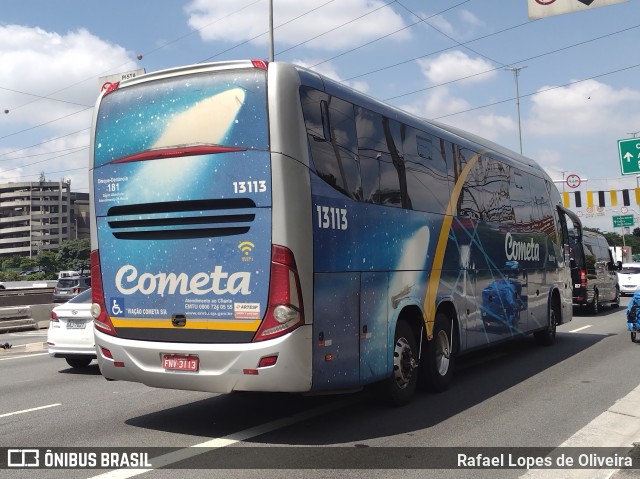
{"points": [[226, 20]]}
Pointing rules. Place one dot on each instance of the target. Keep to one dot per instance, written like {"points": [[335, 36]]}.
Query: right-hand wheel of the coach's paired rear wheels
{"points": [[438, 364]]}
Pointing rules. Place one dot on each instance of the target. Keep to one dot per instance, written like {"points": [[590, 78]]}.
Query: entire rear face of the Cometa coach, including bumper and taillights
{"points": [[190, 292]]}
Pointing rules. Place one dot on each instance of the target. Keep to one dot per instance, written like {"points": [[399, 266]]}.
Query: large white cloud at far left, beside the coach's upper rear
{"points": [[36, 63]]}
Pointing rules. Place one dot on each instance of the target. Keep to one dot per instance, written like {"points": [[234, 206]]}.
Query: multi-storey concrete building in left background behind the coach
{"points": [[39, 216]]}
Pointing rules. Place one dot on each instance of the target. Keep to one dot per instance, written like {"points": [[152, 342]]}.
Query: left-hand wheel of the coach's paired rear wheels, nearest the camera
{"points": [[400, 387]]}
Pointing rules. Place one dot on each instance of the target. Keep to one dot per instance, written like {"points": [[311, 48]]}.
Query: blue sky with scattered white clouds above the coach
{"points": [[575, 95]]}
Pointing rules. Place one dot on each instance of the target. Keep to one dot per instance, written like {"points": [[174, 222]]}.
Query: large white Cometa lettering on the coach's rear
{"points": [[128, 281]]}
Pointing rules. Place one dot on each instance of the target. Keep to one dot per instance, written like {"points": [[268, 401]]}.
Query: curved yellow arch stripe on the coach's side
{"points": [[429, 306]]}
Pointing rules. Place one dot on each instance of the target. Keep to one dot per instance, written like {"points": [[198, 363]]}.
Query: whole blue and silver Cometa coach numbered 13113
{"points": [[259, 227]]}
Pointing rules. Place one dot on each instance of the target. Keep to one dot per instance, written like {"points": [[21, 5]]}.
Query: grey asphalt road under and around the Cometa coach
{"points": [[583, 391]]}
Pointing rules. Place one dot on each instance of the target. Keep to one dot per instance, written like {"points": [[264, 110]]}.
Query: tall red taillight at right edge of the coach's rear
{"points": [[285, 311]]}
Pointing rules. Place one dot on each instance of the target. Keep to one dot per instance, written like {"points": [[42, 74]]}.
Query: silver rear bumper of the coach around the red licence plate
{"points": [[223, 368]]}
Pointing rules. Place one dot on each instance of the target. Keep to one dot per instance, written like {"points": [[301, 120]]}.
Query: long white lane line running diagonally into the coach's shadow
{"points": [[219, 442]]}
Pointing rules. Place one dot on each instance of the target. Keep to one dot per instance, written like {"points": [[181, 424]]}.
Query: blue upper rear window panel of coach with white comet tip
{"points": [[226, 108]]}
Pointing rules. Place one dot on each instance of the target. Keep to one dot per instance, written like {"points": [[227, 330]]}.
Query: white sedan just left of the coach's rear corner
{"points": [[70, 334]]}
